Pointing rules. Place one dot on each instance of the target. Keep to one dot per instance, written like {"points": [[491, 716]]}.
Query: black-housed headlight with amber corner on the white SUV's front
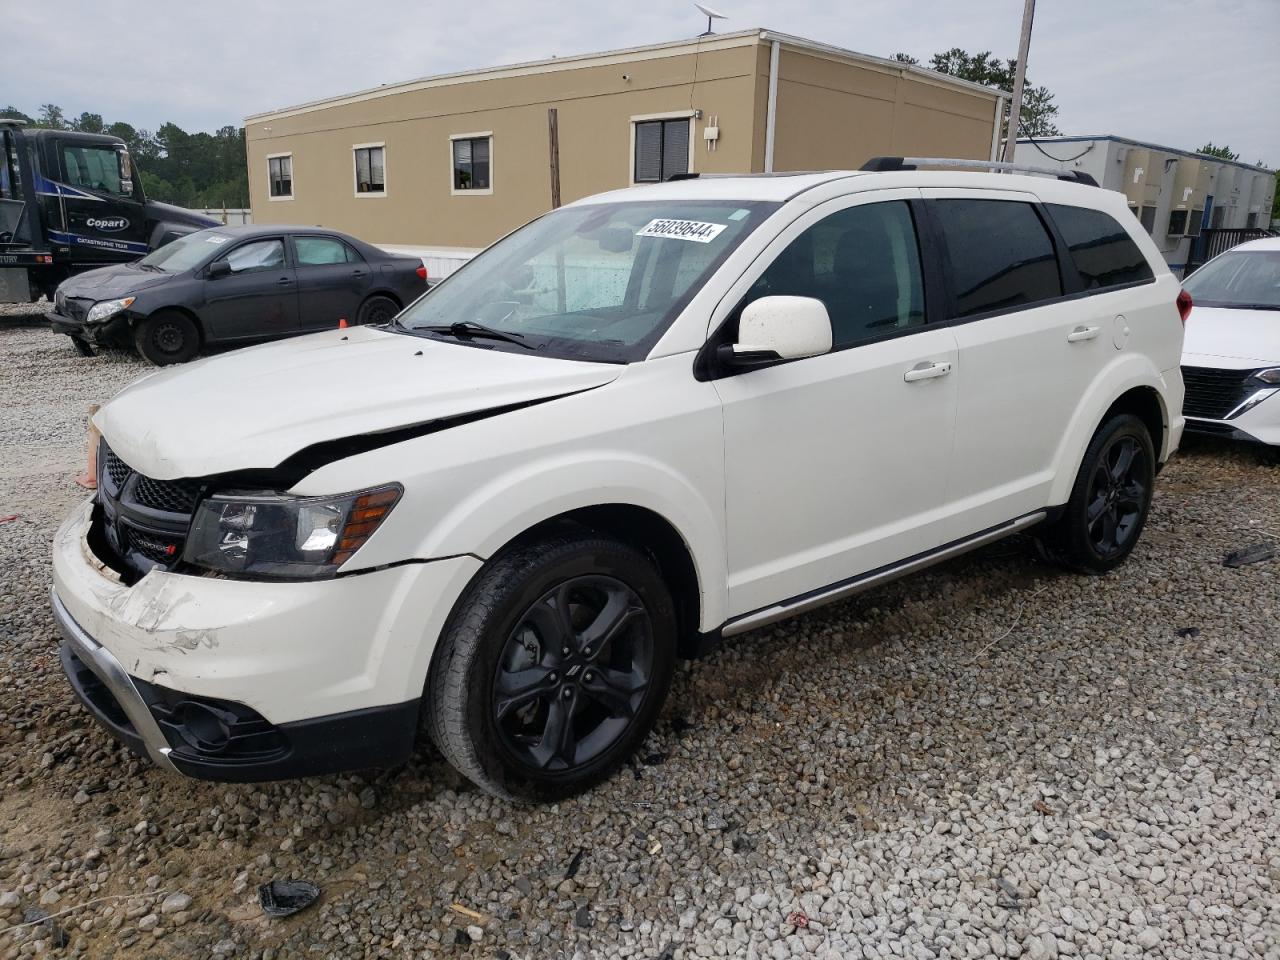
{"points": [[276, 536]]}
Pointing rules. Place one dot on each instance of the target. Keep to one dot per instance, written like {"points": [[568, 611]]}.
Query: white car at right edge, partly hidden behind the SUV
{"points": [[1232, 354]]}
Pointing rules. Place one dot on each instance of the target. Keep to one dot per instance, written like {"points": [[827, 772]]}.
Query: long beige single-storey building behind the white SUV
{"points": [[461, 159]]}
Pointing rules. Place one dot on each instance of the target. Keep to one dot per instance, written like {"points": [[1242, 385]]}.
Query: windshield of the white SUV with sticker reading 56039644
{"points": [[600, 282]]}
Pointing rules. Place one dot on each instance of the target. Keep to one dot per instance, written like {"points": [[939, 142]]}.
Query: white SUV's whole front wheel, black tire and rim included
{"points": [[554, 668]]}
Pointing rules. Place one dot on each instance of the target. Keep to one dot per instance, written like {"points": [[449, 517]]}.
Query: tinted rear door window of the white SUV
{"points": [[1002, 255]]}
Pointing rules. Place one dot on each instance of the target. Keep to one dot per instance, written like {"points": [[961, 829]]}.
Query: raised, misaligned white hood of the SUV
{"points": [[254, 409]]}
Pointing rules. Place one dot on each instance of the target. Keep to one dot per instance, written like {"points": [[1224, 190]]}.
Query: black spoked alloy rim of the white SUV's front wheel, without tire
{"points": [[573, 675]]}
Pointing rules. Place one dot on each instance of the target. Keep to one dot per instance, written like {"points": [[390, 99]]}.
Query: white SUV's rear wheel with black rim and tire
{"points": [[1110, 501]]}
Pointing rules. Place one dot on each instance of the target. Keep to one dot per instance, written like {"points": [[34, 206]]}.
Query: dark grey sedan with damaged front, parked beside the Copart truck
{"points": [[234, 286]]}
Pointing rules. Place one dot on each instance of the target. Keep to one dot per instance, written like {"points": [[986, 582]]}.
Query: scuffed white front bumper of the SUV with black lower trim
{"points": [[252, 682]]}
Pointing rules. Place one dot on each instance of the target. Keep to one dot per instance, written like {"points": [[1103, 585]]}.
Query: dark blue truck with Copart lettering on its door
{"points": [[71, 203]]}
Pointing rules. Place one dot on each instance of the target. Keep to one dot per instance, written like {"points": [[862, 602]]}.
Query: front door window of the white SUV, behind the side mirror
{"points": [[863, 263]]}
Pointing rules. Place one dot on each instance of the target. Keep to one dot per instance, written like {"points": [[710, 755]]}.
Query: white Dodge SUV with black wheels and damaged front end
{"points": [[642, 423]]}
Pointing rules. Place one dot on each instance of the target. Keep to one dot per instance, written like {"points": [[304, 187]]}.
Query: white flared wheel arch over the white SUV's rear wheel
{"points": [[1123, 374]]}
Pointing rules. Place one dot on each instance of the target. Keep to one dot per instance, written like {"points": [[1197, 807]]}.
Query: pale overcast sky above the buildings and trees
{"points": [[1174, 72]]}
